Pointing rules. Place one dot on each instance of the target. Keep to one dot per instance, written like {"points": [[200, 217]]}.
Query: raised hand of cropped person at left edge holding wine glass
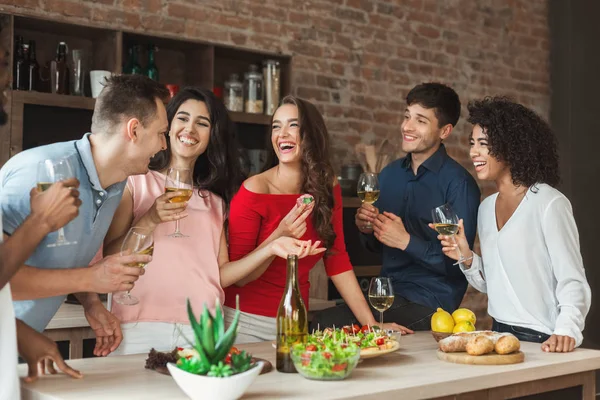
{"points": [[57, 206]]}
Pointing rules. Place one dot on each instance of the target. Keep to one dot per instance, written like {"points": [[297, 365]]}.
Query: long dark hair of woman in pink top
{"points": [[218, 169]]}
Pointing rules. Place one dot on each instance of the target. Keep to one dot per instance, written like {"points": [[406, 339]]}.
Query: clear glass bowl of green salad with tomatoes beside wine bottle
{"points": [[325, 360]]}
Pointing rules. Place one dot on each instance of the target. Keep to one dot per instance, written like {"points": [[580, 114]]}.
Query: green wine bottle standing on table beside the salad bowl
{"points": [[292, 318]]}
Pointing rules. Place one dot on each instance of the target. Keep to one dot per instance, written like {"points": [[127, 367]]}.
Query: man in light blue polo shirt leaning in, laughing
{"points": [[128, 127]]}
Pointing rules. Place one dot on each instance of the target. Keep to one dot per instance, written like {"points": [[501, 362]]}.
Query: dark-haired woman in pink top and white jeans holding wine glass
{"points": [[201, 138]]}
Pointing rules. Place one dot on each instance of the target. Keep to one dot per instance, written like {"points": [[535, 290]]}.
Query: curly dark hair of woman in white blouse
{"points": [[518, 137]]}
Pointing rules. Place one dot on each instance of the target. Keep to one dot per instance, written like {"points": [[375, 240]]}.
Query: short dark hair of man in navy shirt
{"points": [[441, 98]]}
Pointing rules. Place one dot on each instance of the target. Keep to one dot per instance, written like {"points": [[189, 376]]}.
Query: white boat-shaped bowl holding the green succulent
{"points": [[208, 388]]}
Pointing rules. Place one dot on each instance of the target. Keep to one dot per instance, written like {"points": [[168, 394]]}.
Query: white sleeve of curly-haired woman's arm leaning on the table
{"points": [[573, 292]]}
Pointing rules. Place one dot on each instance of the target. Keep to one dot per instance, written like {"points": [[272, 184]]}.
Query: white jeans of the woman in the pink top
{"points": [[140, 337]]}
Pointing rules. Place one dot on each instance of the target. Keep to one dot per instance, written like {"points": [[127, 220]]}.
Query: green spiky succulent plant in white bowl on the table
{"points": [[209, 370]]}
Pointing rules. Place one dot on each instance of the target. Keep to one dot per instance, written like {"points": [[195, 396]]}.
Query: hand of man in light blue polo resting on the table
{"points": [[106, 327]]}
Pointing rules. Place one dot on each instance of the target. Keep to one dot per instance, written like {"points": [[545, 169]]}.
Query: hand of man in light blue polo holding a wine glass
{"points": [[114, 273]]}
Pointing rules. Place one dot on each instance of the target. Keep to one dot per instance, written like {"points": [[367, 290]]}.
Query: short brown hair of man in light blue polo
{"points": [[125, 97]]}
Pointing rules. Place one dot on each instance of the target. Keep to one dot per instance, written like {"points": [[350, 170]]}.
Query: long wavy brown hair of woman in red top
{"points": [[316, 166]]}
